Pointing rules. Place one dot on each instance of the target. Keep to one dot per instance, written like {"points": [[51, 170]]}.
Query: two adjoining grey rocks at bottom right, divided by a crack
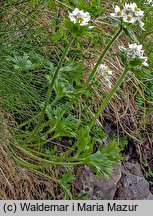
{"points": [[127, 183]]}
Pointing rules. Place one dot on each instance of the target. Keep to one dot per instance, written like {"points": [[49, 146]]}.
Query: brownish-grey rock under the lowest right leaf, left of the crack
{"points": [[97, 188]]}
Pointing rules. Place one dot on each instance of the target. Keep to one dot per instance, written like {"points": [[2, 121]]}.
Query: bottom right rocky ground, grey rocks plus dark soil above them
{"points": [[129, 180]]}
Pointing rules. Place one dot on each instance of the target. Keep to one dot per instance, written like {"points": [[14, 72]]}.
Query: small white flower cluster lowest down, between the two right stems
{"points": [[106, 73]]}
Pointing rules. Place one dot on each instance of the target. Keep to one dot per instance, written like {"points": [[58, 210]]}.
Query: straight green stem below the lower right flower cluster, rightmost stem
{"points": [[107, 99]]}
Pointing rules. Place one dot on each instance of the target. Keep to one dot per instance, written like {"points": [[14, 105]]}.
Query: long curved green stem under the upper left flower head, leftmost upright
{"points": [[50, 90]]}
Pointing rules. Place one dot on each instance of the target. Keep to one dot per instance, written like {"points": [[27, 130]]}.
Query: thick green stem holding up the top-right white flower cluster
{"points": [[102, 56]]}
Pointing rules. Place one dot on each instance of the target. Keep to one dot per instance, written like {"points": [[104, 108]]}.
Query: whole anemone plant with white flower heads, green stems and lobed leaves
{"points": [[39, 136]]}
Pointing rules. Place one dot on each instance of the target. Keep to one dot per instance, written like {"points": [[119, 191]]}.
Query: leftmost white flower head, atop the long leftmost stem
{"points": [[80, 17]]}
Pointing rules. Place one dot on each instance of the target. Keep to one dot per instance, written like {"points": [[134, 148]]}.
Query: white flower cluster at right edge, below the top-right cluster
{"points": [[135, 51]]}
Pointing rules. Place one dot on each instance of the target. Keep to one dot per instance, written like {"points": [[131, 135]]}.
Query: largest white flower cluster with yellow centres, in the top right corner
{"points": [[129, 14]]}
